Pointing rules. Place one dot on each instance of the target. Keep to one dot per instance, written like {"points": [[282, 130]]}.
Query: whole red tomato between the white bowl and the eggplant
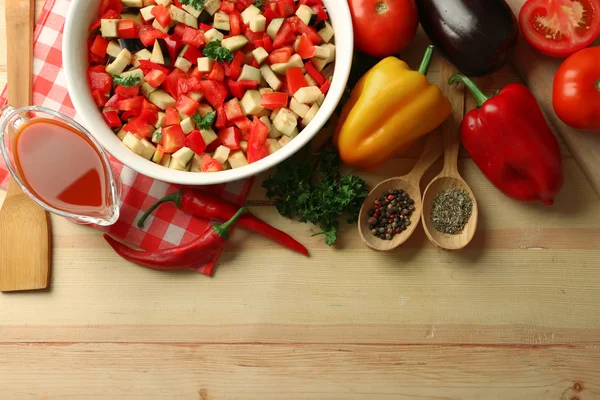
{"points": [[383, 27]]}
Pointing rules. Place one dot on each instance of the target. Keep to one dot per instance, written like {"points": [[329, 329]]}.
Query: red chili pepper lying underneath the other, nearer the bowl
{"points": [[207, 206]]}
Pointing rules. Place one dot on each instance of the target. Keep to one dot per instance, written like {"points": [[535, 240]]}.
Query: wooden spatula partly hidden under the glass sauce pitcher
{"points": [[24, 226]]}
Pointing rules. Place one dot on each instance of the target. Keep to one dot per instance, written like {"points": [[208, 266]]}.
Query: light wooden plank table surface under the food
{"points": [[516, 315]]}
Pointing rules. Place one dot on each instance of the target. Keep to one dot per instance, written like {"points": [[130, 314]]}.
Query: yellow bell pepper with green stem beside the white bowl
{"points": [[390, 107]]}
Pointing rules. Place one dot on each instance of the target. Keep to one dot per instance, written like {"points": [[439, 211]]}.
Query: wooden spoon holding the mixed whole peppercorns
{"points": [[409, 183]]}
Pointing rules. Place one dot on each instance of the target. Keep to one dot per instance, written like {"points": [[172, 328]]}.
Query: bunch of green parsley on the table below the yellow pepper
{"points": [[315, 191]]}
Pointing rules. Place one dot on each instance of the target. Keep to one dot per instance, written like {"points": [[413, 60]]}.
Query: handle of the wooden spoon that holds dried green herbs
{"points": [[451, 128]]}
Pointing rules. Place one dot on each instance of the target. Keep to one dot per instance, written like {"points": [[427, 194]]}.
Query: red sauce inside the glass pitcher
{"points": [[61, 167]]}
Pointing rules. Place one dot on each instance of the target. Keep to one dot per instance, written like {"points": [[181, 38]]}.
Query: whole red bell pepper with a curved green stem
{"points": [[510, 141]]}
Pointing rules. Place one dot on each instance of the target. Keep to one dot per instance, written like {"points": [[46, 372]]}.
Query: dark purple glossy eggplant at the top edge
{"points": [[476, 36]]}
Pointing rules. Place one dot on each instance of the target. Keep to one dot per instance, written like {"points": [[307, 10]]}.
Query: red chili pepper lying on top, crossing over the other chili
{"points": [[188, 255]]}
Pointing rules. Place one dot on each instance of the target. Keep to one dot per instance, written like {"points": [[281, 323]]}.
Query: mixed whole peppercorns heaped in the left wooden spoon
{"points": [[390, 214]]}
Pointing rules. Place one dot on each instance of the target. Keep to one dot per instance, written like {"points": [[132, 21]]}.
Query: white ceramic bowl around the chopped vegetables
{"points": [[83, 12]]}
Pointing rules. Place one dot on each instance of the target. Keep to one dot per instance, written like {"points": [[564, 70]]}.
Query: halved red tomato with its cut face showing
{"points": [[559, 28]]}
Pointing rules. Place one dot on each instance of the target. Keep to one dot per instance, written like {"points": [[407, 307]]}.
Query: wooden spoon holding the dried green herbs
{"points": [[449, 177]]}
